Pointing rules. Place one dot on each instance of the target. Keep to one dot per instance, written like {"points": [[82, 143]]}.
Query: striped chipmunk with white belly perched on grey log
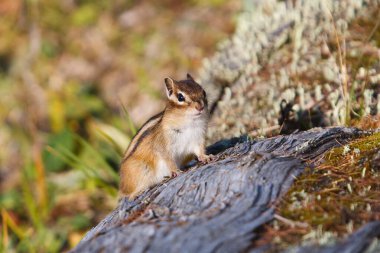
{"points": [[167, 140]]}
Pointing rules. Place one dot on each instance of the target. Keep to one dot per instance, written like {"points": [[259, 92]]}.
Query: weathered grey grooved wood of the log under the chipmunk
{"points": [[218, 207]]}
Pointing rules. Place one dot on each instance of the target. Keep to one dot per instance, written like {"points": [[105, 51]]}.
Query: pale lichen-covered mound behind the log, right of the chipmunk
{"points": [[300, 53]]}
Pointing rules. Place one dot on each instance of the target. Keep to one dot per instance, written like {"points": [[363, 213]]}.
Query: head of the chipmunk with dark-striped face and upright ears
{"points": [[186, 95]]}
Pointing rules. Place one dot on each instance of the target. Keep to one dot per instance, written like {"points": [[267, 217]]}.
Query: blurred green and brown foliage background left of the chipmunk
{"points": [[76, 79]]}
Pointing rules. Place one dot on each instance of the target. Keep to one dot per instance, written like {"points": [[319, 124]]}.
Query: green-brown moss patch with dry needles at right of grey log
{"points": [[339, 195]]}
